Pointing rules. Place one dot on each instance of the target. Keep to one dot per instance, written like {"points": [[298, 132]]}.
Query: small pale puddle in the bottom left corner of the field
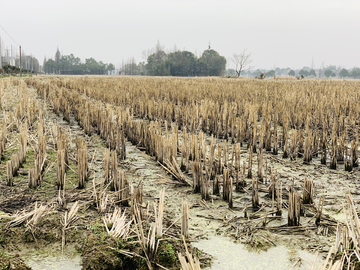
{"points": [[49, 260]]}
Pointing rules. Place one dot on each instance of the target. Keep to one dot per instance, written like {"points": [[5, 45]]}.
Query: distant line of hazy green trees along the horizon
{"points": [[174, 63]]}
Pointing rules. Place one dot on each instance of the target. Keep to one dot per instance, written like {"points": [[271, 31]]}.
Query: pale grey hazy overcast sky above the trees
{"points": [[284, 33]]}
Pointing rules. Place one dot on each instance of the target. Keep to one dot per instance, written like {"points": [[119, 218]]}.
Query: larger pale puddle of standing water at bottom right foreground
{"points": [[229, 255]]}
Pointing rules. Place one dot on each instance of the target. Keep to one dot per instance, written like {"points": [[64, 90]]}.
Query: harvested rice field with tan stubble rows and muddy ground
{"points": [[104, 172]]}
